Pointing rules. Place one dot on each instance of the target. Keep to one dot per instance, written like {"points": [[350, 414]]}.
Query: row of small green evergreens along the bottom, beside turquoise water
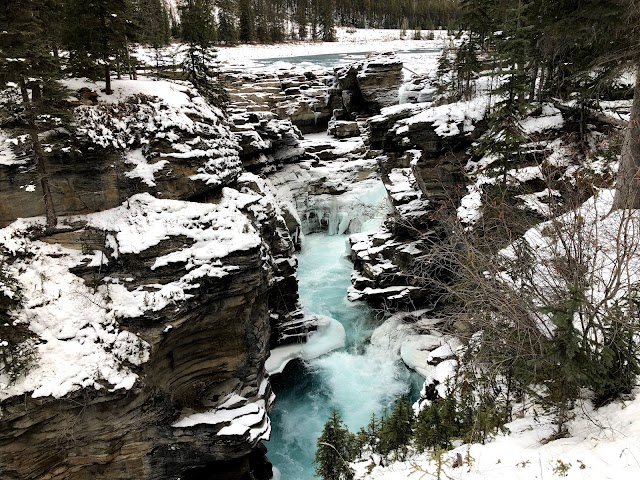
{"points": [[461, 414]]}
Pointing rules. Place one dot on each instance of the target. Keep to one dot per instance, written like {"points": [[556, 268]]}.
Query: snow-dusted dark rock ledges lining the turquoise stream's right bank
{"points": [[422, 159]]}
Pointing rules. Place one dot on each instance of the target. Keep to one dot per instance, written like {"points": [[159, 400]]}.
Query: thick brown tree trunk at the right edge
{"points": [[628, 182]]}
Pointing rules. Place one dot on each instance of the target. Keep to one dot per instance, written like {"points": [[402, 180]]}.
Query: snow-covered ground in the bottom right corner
{"points": [[604, 444]]}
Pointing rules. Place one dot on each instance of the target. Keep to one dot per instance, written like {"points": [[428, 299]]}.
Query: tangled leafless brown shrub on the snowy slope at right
{"points": [[553, 311]]}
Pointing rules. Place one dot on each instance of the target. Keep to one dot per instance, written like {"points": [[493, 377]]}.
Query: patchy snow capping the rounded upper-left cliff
{"points": [[143, 111]]}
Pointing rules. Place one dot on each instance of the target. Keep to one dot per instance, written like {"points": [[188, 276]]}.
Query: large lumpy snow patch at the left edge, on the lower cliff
{"points": [[80, 344]]}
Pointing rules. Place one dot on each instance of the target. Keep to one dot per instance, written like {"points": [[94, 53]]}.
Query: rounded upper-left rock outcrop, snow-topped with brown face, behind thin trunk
{"points": [[177, 148]]}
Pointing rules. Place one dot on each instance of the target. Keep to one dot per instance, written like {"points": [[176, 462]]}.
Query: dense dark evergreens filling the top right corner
{"points": [[542, 50]]}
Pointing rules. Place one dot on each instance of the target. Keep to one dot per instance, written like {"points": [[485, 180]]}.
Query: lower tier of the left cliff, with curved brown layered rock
{"points": [[205, 332]]}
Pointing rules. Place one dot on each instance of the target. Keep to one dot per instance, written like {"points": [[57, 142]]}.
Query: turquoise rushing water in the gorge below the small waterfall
{"points": [[357, 381]]}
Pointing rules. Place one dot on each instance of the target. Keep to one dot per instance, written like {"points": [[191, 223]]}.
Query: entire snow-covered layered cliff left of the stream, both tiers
{"points": [[139, 327]]}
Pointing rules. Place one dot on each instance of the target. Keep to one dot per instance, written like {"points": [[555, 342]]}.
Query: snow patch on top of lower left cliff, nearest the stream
{"points": [[213, 230]]}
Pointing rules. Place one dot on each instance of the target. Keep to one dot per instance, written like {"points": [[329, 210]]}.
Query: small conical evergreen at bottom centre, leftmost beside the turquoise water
{"points": [[335, 450]]}
